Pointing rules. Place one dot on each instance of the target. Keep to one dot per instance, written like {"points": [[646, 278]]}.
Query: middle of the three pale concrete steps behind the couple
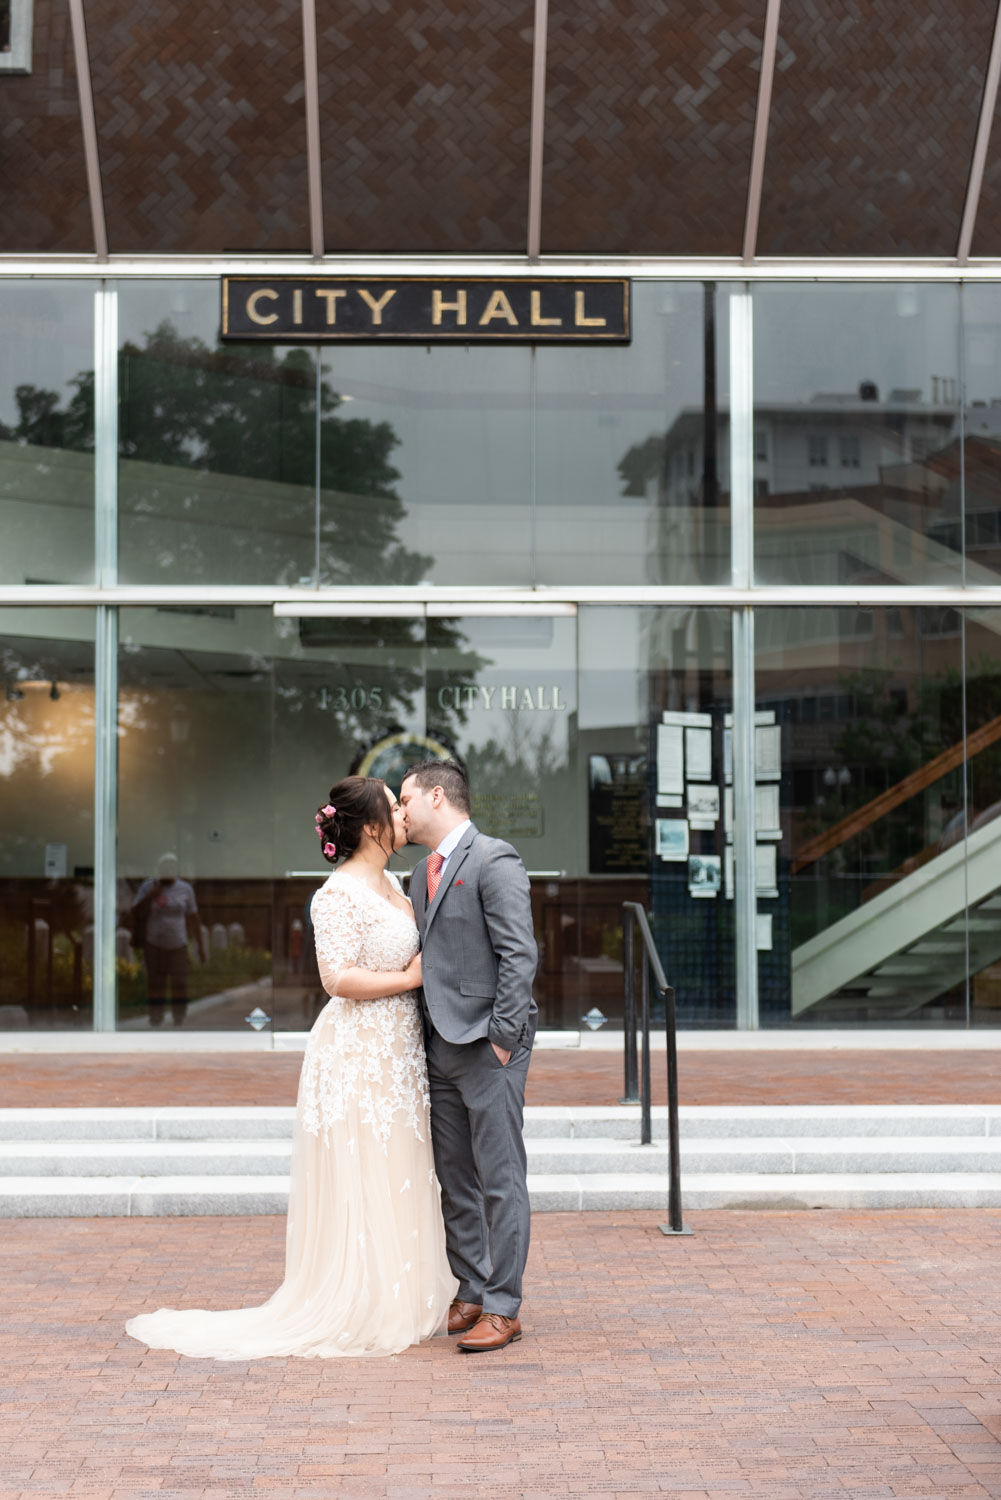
{"points": [[547, 1157]]}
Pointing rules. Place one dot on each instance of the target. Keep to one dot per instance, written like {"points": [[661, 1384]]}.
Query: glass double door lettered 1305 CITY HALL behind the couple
{"points": [[371, 694]]}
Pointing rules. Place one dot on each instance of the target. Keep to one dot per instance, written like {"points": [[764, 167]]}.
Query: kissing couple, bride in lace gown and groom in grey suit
{"points": [[409, 1205]]}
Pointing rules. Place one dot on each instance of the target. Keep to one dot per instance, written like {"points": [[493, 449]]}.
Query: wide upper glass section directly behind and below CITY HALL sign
{"points": [[388, 466]]}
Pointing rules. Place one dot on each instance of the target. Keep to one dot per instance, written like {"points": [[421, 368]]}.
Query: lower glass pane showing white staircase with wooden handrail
{"points": [[862, 817]]}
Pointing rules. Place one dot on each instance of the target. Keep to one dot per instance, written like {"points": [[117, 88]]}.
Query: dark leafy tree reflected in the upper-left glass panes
{"points": [[251, 413]]}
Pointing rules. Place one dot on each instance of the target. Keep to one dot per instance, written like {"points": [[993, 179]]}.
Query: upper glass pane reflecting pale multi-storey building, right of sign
{"points": [[858, 436]]}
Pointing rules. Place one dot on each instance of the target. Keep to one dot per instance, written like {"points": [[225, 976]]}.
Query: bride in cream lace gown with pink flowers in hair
{"points": [[365, 1261]]}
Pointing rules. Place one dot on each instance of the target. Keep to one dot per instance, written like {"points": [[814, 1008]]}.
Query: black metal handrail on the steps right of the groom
{"points": [[634, 916]]}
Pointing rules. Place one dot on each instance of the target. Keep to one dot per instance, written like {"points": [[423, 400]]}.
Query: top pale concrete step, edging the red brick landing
{"points": [[613, 1123]]}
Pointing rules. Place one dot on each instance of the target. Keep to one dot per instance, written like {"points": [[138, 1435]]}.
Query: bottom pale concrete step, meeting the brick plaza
{"points": [[104, 1198]]}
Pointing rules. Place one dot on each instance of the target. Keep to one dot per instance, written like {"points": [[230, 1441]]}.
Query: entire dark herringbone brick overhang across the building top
{"points": [[425, 121]]}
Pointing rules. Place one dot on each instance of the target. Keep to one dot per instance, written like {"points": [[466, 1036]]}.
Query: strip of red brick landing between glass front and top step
{"points": [[556, 1078]]}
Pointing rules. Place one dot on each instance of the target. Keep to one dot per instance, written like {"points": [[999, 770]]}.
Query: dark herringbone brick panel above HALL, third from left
{"points": [[425, 124]]}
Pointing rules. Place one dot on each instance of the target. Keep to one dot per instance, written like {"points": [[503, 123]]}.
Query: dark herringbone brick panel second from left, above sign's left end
{"points": [[200, 124]]}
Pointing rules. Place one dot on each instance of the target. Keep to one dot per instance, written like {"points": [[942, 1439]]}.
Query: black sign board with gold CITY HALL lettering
{"points": [[425, 310]]}
